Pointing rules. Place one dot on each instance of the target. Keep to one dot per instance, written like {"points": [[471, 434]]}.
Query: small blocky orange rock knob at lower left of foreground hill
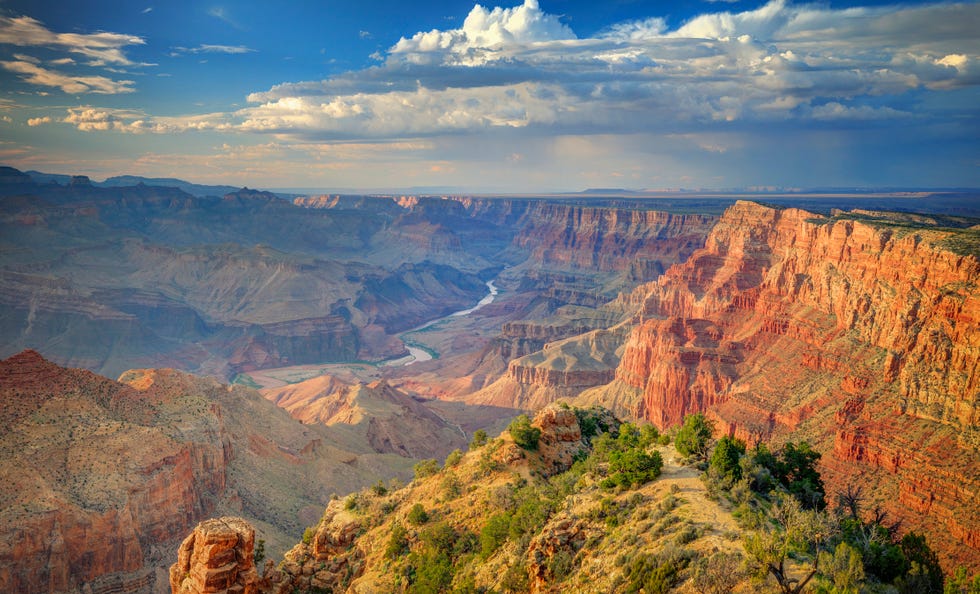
{"points": [[217, 558]]}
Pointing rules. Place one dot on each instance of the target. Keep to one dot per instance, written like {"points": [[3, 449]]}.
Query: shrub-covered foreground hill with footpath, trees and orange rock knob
{"points": [[574, 501]]}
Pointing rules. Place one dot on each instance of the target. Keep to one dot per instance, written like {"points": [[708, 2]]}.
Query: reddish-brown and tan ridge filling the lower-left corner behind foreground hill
{"points": [[103, 478]]}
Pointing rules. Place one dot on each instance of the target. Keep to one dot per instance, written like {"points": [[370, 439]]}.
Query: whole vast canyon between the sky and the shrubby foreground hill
{"points": [[857, 330]]}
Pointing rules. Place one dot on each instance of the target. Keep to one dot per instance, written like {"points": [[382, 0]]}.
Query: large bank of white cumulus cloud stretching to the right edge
{"points": [[521, 68]]}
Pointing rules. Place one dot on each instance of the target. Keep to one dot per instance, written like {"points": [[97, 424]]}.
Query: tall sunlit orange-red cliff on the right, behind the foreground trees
{"points": [[856, 332]]}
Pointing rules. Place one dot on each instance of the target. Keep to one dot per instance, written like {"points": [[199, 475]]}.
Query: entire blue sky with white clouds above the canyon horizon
{"points": [[539, 96]]}
